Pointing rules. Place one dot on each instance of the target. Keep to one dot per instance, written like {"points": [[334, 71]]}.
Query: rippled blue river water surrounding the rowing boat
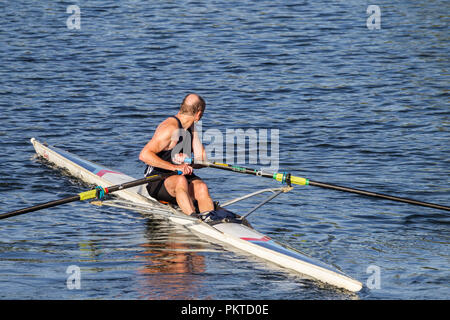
{"points": [[352, 105]]}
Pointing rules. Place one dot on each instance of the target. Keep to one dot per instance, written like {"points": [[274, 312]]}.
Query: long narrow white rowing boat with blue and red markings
{"points": [[230, 234]]}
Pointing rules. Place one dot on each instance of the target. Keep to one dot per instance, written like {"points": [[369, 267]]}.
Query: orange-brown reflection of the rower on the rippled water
{"points": [[173, 262]]}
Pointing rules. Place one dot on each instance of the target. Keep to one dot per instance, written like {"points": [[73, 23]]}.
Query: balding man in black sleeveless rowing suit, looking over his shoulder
{"points": [[174, 139]]}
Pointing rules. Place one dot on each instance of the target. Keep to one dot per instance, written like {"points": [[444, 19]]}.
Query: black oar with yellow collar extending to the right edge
{"points": [[289, 179]]}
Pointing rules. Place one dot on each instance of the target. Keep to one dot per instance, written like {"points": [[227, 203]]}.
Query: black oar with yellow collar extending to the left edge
{"points": [[91, 194]]}
